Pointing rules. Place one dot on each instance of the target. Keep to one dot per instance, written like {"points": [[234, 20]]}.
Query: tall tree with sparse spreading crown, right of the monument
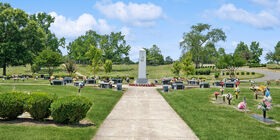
{"points": [[196, 40]]}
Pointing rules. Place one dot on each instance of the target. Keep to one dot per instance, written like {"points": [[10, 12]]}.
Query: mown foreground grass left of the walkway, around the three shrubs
{"points": [[104, 101]]}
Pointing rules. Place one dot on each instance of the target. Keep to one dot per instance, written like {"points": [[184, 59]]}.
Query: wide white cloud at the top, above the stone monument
{"points": [[132, 13]]}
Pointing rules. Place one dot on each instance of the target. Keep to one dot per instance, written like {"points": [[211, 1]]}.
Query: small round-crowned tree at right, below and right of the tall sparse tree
{"points": [[230, 62]]}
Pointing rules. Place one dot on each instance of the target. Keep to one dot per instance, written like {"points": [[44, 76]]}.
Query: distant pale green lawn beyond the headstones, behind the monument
{"points": [[155, 72]]}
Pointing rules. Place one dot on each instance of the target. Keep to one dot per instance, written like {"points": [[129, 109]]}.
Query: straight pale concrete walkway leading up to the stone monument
{"points": [[143, 114]]}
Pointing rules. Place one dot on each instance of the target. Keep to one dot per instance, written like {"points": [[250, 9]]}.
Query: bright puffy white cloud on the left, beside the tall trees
{"points": [[68, 28]]}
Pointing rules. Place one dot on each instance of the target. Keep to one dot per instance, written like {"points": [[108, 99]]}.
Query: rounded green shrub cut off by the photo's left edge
{"points": [[12, 104]]}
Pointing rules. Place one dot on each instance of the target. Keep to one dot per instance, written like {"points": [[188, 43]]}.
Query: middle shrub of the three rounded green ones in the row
{"points": [[39, 105]]}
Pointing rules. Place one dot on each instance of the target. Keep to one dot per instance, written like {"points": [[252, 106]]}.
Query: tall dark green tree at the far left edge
{"points": [[12, 24]]}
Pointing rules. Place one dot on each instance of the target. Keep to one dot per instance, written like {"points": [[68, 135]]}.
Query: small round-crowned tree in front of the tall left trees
{"points": [[49, 59]]}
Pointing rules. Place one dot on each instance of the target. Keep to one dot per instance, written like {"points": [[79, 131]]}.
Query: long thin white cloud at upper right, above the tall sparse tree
{"points": [[262, 19]]}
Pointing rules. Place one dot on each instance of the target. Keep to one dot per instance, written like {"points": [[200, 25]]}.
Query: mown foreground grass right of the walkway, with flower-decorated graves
{"points": [[215, 121]]}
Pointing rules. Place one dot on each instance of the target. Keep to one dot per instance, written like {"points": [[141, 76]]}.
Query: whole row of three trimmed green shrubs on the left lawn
{"points": [[67, 110]]}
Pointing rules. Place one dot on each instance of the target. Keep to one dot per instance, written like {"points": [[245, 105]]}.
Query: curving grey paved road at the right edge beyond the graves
{"points": [[269, 74]]}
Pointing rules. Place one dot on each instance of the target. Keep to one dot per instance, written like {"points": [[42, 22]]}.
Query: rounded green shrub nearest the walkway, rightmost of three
{"points": [[70, 109]]}
